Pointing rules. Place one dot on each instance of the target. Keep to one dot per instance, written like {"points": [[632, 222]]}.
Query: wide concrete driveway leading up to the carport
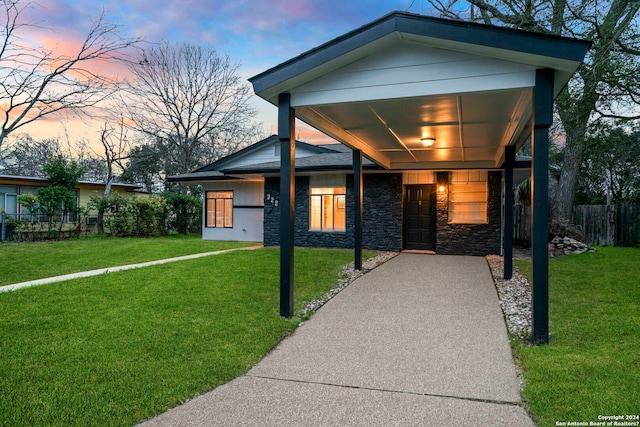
{"points": [[418, 341]]}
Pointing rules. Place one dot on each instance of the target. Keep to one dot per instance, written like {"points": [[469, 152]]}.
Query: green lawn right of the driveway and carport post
{"points": [[591, 366]]}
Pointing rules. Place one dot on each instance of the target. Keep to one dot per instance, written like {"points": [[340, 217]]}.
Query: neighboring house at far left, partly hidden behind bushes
{"points": [[12, 186]]}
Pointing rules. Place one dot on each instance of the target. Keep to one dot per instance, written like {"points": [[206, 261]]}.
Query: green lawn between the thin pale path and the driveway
{"points": [[118, 348]]}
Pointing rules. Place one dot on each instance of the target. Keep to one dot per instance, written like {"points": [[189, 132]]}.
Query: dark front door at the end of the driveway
{"points": [[420, 217]]}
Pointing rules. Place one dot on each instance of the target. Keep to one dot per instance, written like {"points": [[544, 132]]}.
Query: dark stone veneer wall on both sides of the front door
{"points": [[382, 218]]}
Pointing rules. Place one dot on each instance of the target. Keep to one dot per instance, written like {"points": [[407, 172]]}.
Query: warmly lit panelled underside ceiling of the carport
{"points": [[467, 128]]}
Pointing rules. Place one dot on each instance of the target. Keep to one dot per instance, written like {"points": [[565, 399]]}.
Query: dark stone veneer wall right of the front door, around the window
{"points": [[470, 239]]}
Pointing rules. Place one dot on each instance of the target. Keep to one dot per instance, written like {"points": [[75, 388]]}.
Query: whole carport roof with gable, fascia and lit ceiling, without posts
{"points": [[385, 87]]}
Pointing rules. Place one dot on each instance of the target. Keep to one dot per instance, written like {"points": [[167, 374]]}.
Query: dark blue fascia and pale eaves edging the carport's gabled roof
{"points": [[535, 49]]}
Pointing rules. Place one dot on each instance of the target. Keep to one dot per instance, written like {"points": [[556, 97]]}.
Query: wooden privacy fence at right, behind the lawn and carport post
{"points": [[617, 224]]}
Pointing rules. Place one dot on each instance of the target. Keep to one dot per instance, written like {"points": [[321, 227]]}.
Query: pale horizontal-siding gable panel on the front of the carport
{"points": [[408, 69]]}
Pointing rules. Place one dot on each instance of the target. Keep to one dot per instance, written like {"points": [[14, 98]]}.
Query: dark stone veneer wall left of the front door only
{"points": [[382, 216]]}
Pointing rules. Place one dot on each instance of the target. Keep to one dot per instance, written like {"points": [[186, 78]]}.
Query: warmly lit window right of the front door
{"points": [[468, 195]]}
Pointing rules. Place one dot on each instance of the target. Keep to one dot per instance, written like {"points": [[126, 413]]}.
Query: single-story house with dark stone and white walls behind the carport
{"points": [[401, 209]]}
